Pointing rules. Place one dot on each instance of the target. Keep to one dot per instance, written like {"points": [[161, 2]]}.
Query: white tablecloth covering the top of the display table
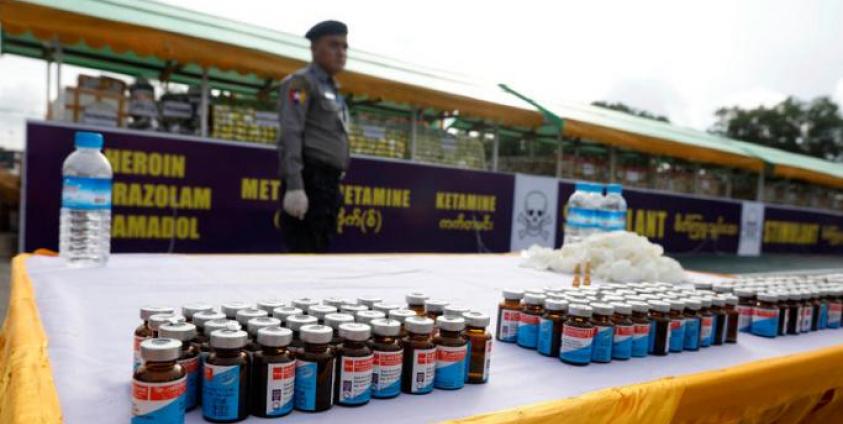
{"points": [[89, 316]]}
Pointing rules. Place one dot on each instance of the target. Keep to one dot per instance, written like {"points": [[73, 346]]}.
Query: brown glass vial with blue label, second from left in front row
{"points": [[225, 387]]}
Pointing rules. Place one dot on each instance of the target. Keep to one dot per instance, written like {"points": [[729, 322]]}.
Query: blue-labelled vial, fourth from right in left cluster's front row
{"points": [[388, 358]]}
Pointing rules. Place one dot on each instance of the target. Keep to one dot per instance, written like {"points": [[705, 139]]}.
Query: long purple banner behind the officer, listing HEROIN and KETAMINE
{"points": [[182, 194]]}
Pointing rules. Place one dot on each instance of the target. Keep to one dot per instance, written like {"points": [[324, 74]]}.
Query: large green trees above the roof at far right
{"points": [[814, 128]]}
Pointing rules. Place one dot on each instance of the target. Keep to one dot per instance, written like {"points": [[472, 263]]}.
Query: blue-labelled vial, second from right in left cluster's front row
{"points": [[451, 349]]}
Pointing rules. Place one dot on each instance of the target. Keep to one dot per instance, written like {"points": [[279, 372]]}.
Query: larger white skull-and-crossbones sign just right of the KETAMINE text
{"points": [[534, 211]]}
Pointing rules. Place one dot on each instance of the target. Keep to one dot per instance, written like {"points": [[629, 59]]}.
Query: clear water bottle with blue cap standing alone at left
{"points": [[85, 227]]}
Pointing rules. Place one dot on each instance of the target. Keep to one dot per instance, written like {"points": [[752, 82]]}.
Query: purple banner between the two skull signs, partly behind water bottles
{"points": [[681, 224]]}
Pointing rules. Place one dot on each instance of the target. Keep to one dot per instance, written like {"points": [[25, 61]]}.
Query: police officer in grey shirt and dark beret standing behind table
{"points": [[313, 144]]}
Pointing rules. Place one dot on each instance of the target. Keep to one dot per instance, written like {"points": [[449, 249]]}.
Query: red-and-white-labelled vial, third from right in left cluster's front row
{"points": [[419, 366]]}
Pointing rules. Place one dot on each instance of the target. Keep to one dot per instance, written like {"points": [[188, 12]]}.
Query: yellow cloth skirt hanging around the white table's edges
{"points": [[806, 387]]}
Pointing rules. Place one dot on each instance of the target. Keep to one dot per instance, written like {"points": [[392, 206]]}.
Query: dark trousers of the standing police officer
{"points": [[313, 234]]}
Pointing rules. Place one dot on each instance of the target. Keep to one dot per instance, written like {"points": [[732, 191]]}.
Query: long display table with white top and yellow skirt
{"points": [[88, 315]]}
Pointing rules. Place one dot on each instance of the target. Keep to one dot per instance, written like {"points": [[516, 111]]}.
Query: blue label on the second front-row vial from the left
{"points": [[221, 391]]}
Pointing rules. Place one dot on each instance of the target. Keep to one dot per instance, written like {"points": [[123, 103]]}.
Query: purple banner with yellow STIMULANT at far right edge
{"points": [[789, 230]]}
